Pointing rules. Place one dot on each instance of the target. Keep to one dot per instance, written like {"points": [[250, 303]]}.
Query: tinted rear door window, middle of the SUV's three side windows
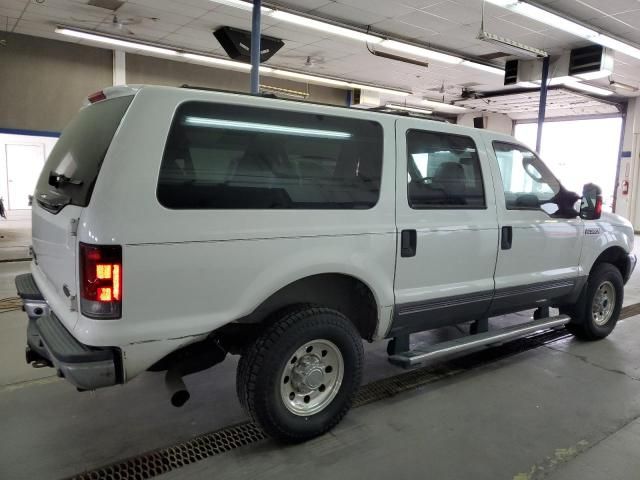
{"points": [[444, 171]]}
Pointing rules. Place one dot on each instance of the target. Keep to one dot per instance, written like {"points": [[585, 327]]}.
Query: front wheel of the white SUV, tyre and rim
{"points": [[596, 313]]}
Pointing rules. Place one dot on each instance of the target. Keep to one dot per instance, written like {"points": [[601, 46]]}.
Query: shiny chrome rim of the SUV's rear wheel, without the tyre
{"points": [[312, 377]]}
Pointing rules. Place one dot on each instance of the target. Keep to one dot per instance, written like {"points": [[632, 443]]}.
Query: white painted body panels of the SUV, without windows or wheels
{"points": [[187, 272]]}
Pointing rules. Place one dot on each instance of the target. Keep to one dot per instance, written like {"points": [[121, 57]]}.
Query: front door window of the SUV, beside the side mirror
{"points": [[527, 182]]}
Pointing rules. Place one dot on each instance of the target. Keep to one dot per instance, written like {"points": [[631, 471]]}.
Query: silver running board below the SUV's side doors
{"points": [[412, 358]]}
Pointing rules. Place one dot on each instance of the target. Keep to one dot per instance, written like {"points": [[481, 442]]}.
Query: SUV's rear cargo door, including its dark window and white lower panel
{"points": [[64, 189]]}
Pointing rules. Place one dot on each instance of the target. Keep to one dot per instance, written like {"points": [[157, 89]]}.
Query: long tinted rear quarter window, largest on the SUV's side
{"points": [[237, 157]]}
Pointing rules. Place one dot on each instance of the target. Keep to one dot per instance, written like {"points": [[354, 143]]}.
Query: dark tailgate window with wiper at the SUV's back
{"points": [[72, 168]]}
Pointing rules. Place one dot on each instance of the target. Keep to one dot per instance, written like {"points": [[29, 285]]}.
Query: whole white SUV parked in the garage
{"points": [[172, 226]]}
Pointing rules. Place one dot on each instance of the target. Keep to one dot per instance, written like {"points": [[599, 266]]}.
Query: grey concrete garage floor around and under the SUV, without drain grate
{"points": [[567, 410]]}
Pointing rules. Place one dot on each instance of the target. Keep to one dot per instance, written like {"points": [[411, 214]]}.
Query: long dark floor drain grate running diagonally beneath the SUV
{"points": [[152, 464]]}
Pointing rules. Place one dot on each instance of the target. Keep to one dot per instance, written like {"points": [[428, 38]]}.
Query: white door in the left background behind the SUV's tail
{"points": [[24, 163]]}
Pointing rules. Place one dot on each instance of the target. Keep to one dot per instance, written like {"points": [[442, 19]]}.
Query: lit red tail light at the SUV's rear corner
{"points": [[101, 281]]}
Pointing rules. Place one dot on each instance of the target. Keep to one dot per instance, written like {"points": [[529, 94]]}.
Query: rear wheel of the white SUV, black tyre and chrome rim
{"points": [[299, 378]]}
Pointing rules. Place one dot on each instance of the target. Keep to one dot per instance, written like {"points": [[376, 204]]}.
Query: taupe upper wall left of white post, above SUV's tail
{"points": [[43, 82]]}
